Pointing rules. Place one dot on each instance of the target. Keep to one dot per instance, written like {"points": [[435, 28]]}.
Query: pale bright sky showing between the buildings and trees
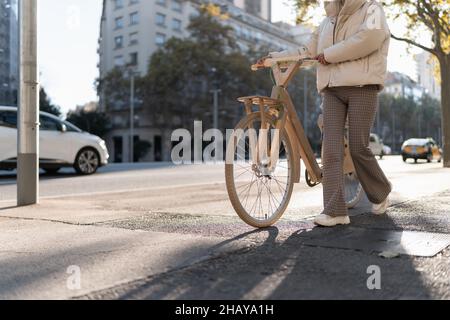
{"points": [[68, 42]]}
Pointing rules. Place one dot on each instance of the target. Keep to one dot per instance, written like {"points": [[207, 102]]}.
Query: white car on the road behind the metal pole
{"points": [[61, 144]]}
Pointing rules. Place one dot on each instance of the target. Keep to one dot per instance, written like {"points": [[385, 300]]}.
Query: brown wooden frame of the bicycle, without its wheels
{"points": [[288, 120]]}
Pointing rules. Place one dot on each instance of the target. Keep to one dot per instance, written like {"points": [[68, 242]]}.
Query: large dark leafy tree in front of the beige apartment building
{"points": [[184, 71]]}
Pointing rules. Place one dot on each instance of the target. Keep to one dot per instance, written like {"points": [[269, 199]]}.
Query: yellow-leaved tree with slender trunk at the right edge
{"points": [[430, 15]]}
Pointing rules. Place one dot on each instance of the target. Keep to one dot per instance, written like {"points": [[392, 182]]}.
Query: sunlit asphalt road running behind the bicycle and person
{"points": [[199, 184]]}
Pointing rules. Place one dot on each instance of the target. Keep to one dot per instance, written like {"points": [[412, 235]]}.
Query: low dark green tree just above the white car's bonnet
{"points": [[94, 122]]}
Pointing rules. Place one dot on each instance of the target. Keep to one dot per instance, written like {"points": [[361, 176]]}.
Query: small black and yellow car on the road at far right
{"points": [[426, 149]]}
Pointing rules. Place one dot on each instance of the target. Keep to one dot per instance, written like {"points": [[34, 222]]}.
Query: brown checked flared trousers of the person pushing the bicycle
{"points": [[360, 105]]}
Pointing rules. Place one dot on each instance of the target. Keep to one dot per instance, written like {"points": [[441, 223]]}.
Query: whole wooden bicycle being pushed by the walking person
{"points": [[264, 152]]}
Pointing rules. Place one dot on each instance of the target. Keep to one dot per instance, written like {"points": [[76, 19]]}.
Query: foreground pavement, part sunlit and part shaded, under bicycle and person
{"points": [[126, 251]]}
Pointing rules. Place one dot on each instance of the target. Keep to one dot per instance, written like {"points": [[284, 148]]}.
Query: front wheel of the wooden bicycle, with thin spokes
{"points": [[259, 190]]}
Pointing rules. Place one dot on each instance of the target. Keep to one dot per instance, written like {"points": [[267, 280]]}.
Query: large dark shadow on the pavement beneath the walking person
{"points": [[284, 267]]}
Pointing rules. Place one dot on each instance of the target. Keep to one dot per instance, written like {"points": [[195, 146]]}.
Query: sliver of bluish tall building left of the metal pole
{"points": [[9, 52]]}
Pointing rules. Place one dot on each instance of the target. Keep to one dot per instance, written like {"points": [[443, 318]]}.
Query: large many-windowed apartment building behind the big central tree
{"points": [[132, 30]]}
